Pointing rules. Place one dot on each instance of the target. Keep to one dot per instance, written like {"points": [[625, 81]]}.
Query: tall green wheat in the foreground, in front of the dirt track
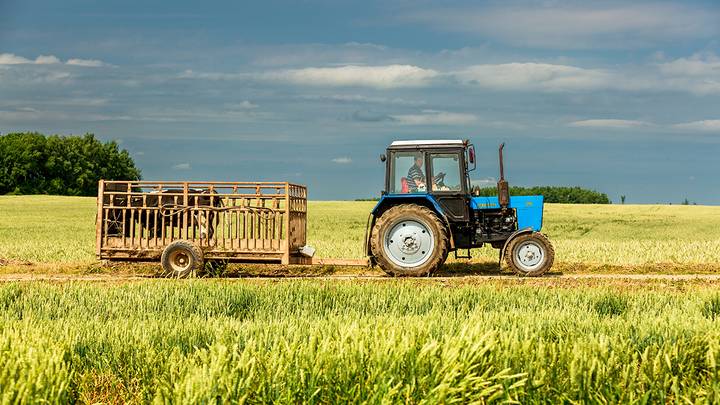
{"points": [[208, 341]]}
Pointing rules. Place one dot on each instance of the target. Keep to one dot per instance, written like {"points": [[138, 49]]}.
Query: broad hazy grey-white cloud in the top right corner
{"points": [[609, 24]]}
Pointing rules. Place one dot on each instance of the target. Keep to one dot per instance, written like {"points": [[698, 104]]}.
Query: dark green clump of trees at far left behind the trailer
{"points": [[32, 163]]}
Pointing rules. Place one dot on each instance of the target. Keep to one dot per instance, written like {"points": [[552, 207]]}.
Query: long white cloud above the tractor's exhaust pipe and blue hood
{"points": [[534, 76]]}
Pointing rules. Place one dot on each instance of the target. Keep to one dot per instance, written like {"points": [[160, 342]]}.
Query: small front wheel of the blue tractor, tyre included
{"points": [[530, 254]]}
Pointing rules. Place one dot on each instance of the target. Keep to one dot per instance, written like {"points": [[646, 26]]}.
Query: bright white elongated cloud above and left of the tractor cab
{"points": [[383, 77]]}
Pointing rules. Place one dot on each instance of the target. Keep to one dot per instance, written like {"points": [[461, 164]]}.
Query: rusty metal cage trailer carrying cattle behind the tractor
{"points": [[185, 223]]}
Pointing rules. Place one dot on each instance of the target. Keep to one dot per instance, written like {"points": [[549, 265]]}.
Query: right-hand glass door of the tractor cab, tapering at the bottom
{"points": [[447, 183]]}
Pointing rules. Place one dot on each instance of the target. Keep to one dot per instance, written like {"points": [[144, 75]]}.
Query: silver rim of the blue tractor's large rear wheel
{"points": [[409, 243]]}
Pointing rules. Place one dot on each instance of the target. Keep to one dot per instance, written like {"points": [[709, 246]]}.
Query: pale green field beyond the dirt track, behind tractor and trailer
{"points": [[50, 229]]}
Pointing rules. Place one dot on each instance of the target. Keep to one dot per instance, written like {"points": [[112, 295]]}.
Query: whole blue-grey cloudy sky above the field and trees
{"points": [[622, 97]]}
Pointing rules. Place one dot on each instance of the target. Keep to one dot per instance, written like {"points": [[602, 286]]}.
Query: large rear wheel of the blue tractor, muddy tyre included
{"points": [[409, 240]]}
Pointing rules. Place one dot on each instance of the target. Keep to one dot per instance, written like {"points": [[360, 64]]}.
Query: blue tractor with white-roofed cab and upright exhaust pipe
{"points": [[428, 210]]}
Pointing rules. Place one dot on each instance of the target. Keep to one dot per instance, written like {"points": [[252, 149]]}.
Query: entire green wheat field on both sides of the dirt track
{"points": [[451, 340]]}
